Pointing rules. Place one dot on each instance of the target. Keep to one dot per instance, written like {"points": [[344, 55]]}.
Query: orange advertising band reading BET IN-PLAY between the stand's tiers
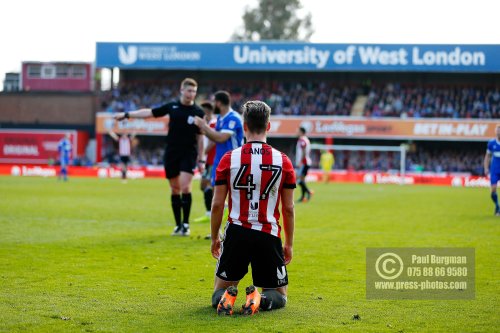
{"points": [[338, 127]]}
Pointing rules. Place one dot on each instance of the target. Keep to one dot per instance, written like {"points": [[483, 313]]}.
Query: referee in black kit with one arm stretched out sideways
{"points": [[184, 149]]}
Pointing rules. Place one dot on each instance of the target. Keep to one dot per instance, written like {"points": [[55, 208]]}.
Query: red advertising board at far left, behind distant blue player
{"points": [[37, 146]]}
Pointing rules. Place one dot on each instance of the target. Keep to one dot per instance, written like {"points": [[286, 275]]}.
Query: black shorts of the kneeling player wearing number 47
{"points": [[241, 247]]}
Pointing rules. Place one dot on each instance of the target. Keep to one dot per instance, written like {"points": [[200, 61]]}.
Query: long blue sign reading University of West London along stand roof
{"points": [[300, 56]]}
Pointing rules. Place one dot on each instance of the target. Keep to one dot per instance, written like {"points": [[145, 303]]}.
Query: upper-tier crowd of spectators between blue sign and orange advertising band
{"points": [[324, 98]]}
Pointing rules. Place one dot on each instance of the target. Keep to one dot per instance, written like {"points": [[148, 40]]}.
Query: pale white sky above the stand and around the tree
{"points": [[67, 30]]}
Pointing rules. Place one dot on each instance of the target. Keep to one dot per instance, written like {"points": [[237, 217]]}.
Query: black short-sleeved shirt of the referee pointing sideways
{"points": [[181, 128]]}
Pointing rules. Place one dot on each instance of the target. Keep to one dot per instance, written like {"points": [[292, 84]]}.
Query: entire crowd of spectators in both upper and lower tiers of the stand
{"points": [[328, 98]]}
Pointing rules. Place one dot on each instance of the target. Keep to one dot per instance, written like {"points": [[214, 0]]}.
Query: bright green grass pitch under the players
{"points": [[95, 255]]}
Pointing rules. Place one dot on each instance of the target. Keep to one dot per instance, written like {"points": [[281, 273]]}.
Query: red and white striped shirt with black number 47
{"points": [[256, 174]]}
